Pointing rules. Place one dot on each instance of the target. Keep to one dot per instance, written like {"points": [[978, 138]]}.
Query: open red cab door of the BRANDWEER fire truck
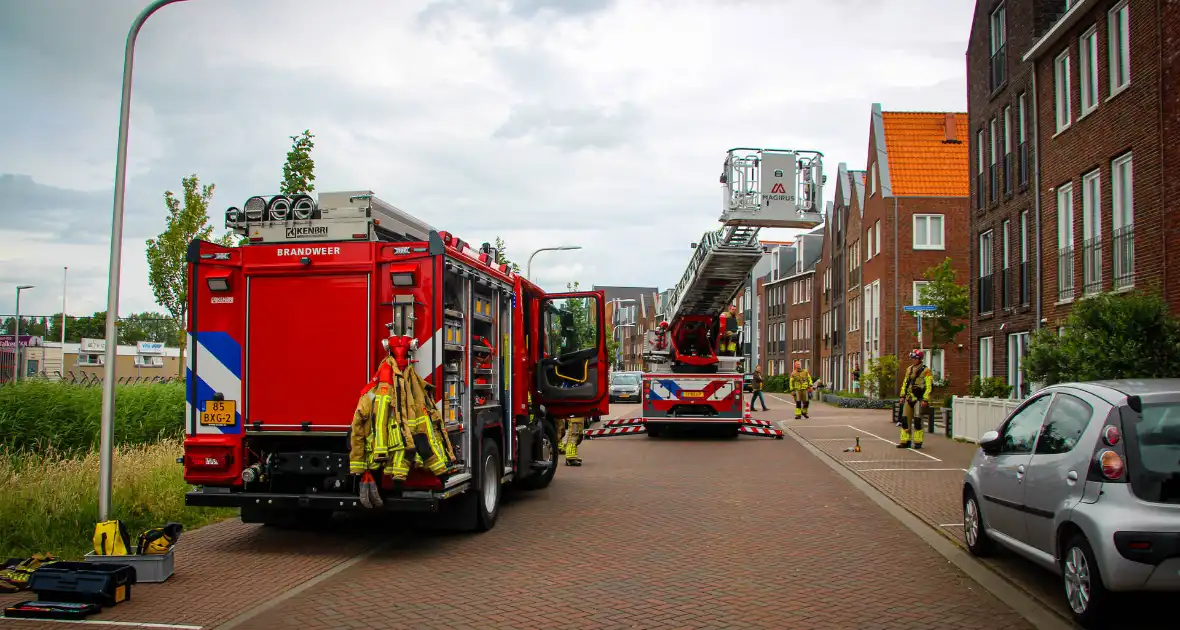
{"points": [[571, 353]]}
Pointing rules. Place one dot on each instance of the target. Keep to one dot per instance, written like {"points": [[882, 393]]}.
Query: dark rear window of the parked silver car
{"points": [[1153, 452]]}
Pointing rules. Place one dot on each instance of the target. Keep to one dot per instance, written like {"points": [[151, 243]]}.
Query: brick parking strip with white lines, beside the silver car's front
{"points": [[928, 483]]}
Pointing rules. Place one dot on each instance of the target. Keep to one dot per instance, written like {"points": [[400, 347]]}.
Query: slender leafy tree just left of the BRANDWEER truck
{"points": [[167, 270]]}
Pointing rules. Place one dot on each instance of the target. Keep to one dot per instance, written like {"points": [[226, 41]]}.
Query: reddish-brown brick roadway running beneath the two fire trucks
{"points": [[648, 534]]}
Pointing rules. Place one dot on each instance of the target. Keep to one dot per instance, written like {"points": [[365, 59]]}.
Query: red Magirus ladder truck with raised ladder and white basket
{"points": [[694, 382]]}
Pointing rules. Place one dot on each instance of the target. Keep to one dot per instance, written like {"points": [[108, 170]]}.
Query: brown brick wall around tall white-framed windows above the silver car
{"points": [[1126, 122]]}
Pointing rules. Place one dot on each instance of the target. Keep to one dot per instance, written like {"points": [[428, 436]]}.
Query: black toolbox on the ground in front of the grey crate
{"points": [[91, 583]]}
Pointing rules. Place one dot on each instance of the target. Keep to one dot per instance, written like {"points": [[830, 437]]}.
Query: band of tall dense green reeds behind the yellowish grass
{"points": [[38, 416]]}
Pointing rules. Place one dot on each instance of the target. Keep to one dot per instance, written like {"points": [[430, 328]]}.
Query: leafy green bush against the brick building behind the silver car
{"points": [[1131, 336]]}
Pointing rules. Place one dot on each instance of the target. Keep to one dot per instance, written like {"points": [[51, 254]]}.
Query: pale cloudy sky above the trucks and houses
{"points": [[599, 123]]}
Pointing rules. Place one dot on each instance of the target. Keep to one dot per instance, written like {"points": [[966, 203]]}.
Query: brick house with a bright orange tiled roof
{"points": [[916, 215]]}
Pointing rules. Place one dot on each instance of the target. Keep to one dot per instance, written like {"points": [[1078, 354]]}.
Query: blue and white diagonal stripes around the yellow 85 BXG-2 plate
{"points": [[219, 362]]}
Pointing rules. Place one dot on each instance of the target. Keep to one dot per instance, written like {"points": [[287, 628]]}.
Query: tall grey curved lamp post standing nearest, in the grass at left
{"points": [[107, 434]]}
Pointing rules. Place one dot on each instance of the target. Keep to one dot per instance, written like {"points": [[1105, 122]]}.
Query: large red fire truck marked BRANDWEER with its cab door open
{"points": [[285, 332]]}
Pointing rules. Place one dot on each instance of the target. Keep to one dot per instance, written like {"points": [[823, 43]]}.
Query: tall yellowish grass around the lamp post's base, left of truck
{"points": [[49, 501]]}
